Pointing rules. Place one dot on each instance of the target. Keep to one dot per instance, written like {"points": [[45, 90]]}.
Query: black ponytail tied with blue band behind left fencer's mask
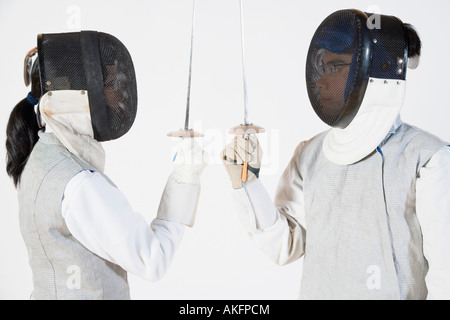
{"points": [[22, 131]]}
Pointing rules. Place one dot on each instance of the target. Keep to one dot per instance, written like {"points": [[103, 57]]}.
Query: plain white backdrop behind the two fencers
{"points": [[216, 259]]}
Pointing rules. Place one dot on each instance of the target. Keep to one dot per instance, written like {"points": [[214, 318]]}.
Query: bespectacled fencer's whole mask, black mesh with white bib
{"points": [[355, 75]]}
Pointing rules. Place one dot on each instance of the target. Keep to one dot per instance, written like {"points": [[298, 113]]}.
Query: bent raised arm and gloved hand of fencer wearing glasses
{"points": [[275, 228]]}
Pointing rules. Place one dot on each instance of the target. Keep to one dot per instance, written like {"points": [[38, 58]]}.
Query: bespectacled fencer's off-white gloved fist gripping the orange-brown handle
{"points": [[242, 160]]}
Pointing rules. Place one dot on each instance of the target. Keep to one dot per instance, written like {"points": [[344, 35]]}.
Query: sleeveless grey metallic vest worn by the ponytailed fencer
{"points": [[62, 267]]}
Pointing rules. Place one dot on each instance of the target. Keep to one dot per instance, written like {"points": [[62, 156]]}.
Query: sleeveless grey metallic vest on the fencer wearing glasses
{"points": [[363, 239]]}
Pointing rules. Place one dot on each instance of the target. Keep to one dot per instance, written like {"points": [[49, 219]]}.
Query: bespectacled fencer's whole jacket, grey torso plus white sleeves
{"points": [[377, 229]]}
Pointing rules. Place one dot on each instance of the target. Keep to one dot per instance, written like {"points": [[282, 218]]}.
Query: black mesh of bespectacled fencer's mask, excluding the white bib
{"points": [[343, 54]]}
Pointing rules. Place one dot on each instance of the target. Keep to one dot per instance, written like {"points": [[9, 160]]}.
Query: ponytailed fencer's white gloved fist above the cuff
{"points": [[189, 162]]}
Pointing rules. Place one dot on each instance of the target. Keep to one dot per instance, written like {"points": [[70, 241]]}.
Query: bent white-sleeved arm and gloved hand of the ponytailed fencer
{"points": [[100, 217]]}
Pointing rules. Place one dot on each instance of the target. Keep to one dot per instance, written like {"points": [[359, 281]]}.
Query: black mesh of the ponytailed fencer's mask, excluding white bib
{"points": [[96, 62]]}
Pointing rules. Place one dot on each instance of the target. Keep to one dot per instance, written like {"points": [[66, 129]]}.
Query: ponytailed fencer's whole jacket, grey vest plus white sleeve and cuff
{"points": [[81, 233]]}
